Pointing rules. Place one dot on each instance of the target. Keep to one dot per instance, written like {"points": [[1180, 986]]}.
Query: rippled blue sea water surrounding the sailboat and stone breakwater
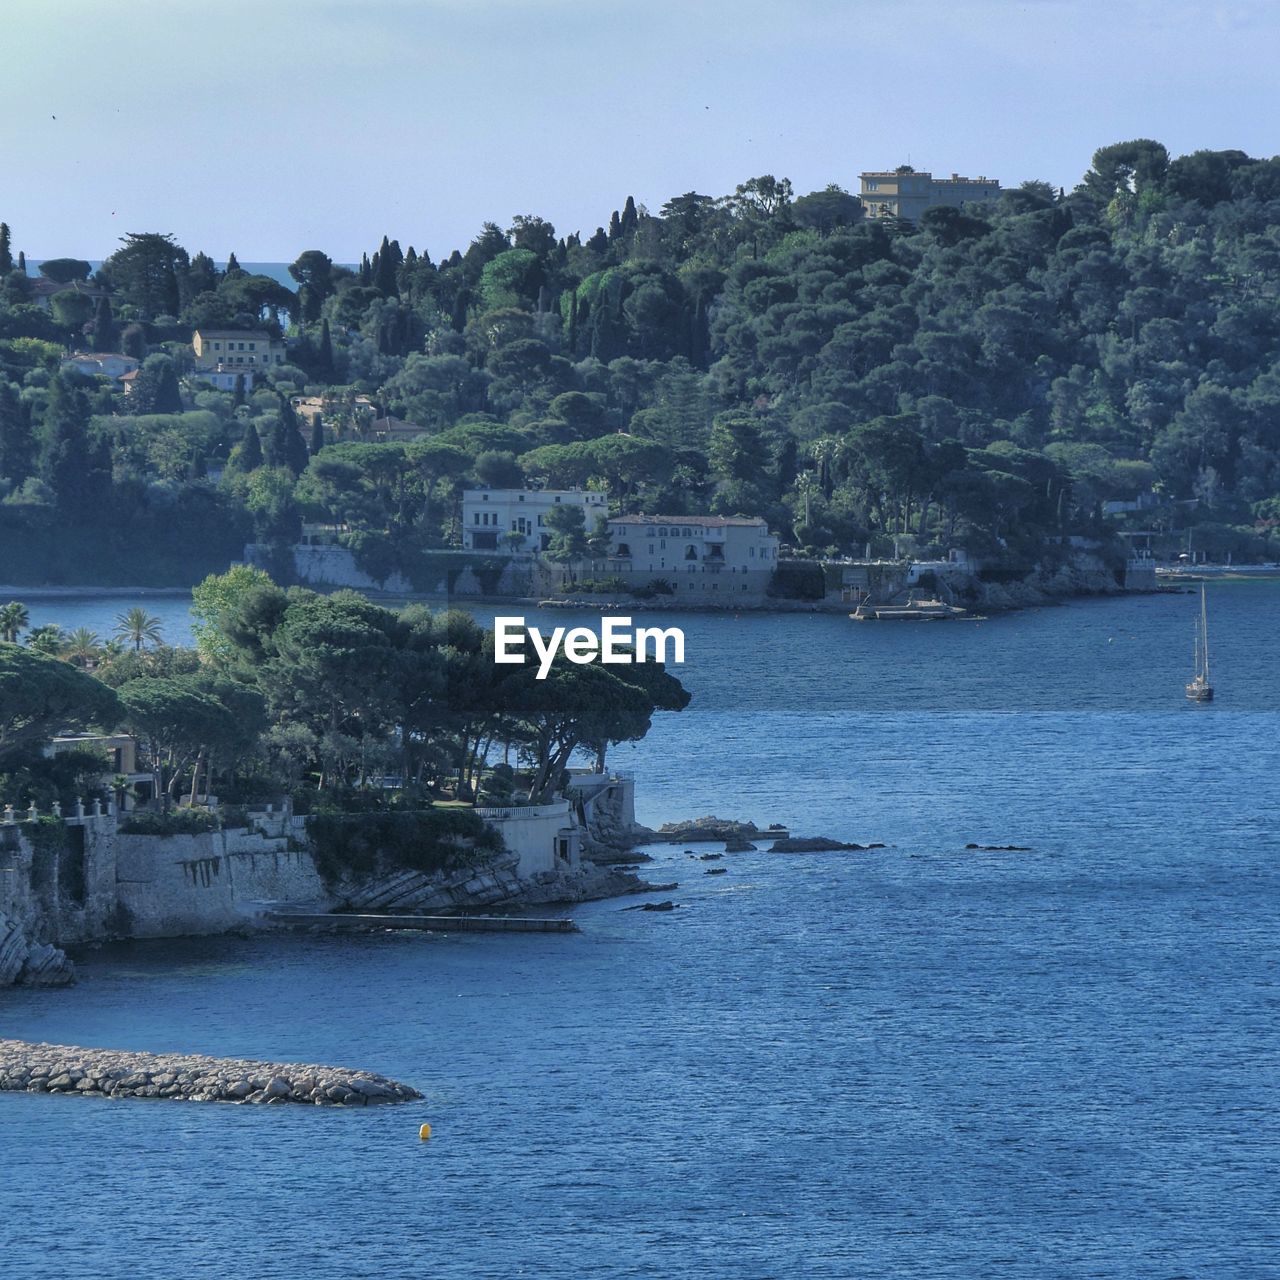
{"points": [[913, 1063]]}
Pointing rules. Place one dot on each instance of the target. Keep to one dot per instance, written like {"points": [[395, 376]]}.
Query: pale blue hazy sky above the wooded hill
{"points": [[267, 127]]}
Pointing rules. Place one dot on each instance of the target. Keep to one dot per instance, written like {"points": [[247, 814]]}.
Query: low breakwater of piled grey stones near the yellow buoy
{"points": [[189, 1077]]}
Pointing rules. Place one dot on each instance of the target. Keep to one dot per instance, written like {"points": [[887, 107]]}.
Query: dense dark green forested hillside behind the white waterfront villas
{"points": [[982, 380]]}
